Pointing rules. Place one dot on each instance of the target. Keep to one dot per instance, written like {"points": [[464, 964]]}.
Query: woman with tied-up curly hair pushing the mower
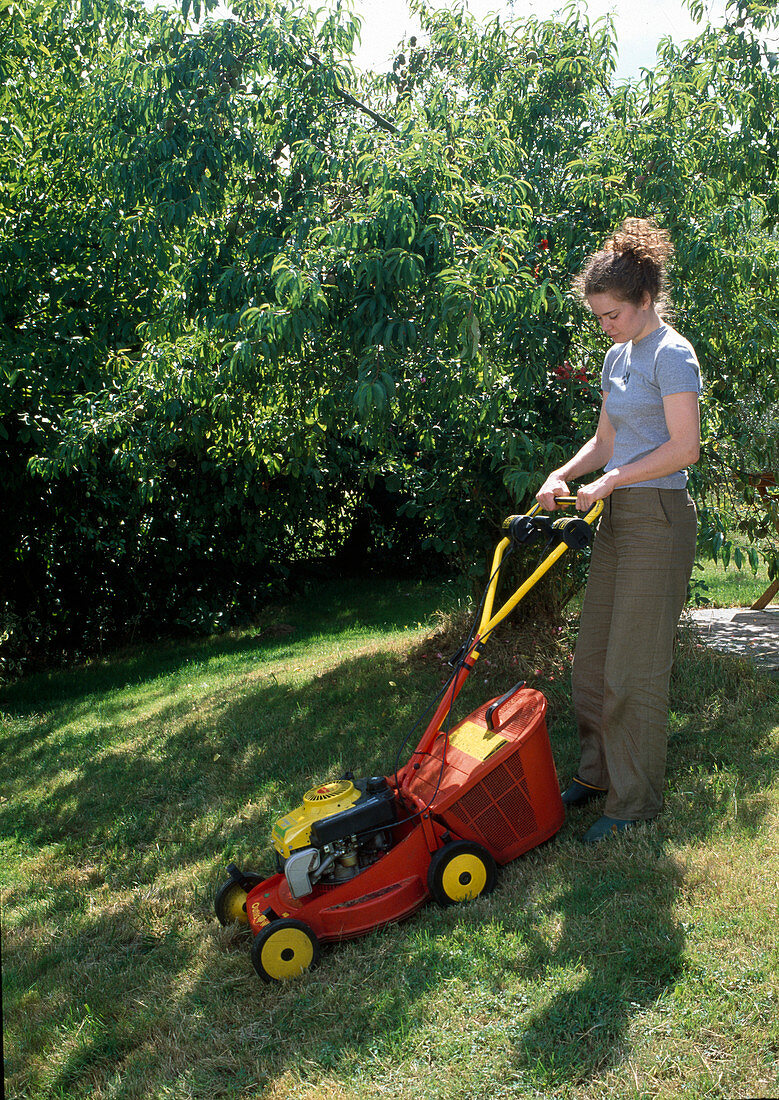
{"points": [[648, 434]]}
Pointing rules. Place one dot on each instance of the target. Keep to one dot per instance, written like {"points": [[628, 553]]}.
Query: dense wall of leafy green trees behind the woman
{"points": [[258, 307]]}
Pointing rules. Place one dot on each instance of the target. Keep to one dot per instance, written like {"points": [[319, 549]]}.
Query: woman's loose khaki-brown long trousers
{"points": [[642, 560]]}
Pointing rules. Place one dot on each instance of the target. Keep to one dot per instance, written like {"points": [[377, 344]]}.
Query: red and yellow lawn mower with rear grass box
{"points": [[363, 853]]}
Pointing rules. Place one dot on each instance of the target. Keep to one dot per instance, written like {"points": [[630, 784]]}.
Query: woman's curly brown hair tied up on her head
{"points": [[632, 262]]}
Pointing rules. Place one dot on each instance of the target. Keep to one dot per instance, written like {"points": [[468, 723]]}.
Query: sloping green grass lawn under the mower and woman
{"points": [[645, 967]]}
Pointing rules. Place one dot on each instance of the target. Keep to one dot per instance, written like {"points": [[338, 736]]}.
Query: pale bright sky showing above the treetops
{"points": [[640, 25]]}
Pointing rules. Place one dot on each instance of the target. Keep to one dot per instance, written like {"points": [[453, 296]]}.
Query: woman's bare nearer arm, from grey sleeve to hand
{"points": [[682, 450]]}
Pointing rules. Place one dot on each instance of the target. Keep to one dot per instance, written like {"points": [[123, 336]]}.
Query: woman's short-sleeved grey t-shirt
{"points": [[637, 378]]}
